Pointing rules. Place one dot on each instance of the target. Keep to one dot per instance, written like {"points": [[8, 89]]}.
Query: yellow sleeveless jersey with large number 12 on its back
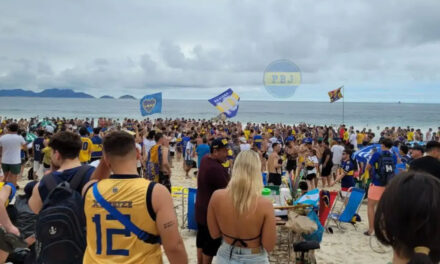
{"points": [[108, 241]]}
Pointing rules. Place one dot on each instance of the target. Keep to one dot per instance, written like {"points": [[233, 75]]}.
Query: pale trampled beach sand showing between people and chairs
{"points": [[349, 246]]}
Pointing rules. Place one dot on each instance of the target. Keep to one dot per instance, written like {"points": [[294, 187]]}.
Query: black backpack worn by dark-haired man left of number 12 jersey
{"points": [[60, 229]]}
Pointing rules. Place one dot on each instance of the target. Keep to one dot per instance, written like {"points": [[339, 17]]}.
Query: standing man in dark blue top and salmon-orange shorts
{"points": [[383, 165]]}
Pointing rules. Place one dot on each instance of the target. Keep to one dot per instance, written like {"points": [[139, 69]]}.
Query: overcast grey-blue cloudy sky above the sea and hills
{"points": [[380, 50]]}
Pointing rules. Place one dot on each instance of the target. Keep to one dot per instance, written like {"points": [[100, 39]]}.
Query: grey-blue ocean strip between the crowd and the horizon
{"points": [[369, 115]]}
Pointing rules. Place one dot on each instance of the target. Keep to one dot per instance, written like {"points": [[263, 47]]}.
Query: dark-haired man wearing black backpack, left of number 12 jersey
{"points": [[57, 201]]}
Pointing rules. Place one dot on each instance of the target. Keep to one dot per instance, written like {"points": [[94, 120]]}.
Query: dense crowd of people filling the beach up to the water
{"points": [[123, 170]]}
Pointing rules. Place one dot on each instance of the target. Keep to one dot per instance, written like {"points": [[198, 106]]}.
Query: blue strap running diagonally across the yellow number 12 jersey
{"points": [[141, 235]]}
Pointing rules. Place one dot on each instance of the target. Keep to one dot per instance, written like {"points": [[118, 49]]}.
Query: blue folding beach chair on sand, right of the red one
{"points": [[352, 207]]}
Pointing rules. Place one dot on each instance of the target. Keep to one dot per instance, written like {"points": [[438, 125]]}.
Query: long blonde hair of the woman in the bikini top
{"points": [[246, 182]]}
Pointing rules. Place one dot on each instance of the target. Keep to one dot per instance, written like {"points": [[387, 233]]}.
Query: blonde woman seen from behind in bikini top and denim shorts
{"points": [[241, 216]]}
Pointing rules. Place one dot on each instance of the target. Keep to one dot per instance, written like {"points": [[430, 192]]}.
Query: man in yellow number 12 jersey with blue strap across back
{"points": [[128, 217]]}
